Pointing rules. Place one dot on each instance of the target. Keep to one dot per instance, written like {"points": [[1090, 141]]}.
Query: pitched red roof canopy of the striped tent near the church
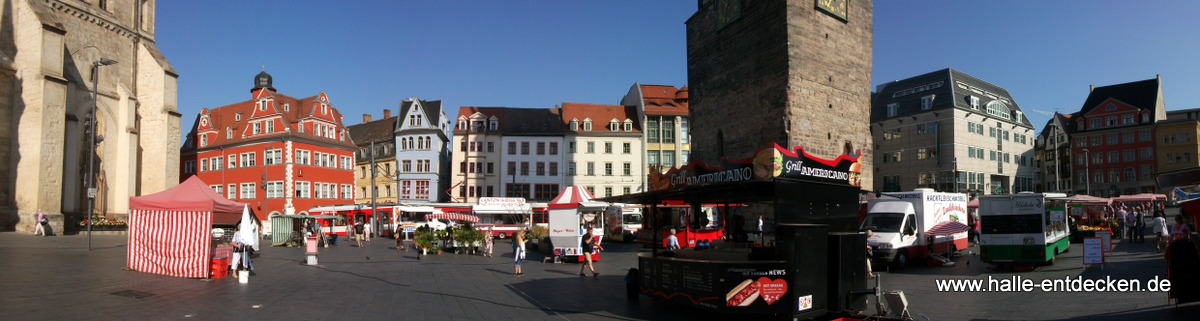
{"points": [[193, 196]]}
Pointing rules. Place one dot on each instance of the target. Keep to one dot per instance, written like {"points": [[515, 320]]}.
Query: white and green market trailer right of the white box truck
{"points": [[1023, 229]]}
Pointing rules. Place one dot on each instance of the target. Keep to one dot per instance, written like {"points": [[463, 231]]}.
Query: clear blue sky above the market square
{"points": [[370, 56]]}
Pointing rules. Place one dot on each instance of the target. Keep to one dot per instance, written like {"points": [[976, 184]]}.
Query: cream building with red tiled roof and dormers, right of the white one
{"points": [[604, 149]]}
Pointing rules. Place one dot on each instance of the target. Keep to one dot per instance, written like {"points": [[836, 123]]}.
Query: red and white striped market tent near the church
{"points": [[171, 232]]}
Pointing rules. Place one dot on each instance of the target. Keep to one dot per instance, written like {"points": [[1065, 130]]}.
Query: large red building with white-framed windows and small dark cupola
{"points": [[278, 154]]}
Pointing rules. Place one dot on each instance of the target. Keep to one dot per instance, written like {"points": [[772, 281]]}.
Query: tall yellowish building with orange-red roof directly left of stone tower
{"points": [[663, 113]]}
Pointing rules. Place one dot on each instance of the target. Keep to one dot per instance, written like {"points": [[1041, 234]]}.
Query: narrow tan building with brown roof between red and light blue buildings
{"points": [[376, 143]]}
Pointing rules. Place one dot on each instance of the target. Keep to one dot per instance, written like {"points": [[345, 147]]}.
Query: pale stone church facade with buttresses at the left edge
{"points": [[50, 51]]}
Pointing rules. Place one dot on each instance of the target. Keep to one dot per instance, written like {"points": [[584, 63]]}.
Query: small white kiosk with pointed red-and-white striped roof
{"points": [[571, 214]]}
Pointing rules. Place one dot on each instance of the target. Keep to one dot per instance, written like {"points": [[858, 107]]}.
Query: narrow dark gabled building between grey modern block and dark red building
{"points": [[1053, 155]]}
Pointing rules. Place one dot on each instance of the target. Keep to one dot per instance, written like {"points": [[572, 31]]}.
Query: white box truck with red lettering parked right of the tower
{"points": [[915, 225]]}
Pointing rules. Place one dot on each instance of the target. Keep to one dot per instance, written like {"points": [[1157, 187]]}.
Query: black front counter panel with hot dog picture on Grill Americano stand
{"points": [[757, 288]]}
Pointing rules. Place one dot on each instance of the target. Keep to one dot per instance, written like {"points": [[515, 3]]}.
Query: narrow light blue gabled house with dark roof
{"points": [[423, 136]]}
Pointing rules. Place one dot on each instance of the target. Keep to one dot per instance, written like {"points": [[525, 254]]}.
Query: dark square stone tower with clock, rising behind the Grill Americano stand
{"points": [[795, 72]]}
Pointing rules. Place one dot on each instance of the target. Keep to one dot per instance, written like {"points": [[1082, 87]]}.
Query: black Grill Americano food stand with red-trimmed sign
{"points": [[814, 269]]}
